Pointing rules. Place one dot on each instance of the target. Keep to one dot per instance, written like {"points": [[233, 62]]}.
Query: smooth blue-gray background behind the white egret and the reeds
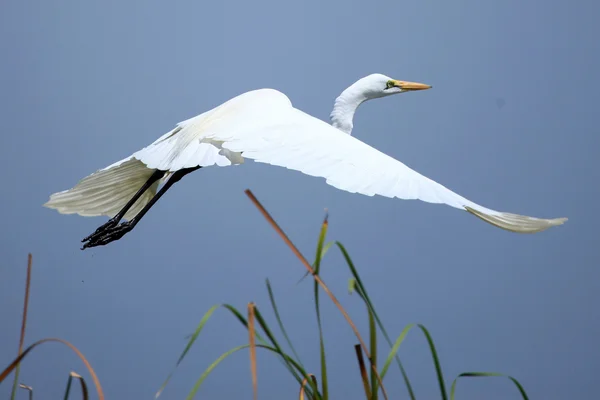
{"points": [[510, 123]]}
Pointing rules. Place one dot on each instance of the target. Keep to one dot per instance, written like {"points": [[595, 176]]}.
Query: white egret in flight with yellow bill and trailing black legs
{"points": [[262, 125]]}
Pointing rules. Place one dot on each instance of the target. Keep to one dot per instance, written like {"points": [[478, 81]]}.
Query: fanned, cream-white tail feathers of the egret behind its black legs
{"points": [[105, 192]]}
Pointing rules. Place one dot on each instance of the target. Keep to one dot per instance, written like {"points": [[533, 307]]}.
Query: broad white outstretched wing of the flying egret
{"points": [[262, 125]]}
